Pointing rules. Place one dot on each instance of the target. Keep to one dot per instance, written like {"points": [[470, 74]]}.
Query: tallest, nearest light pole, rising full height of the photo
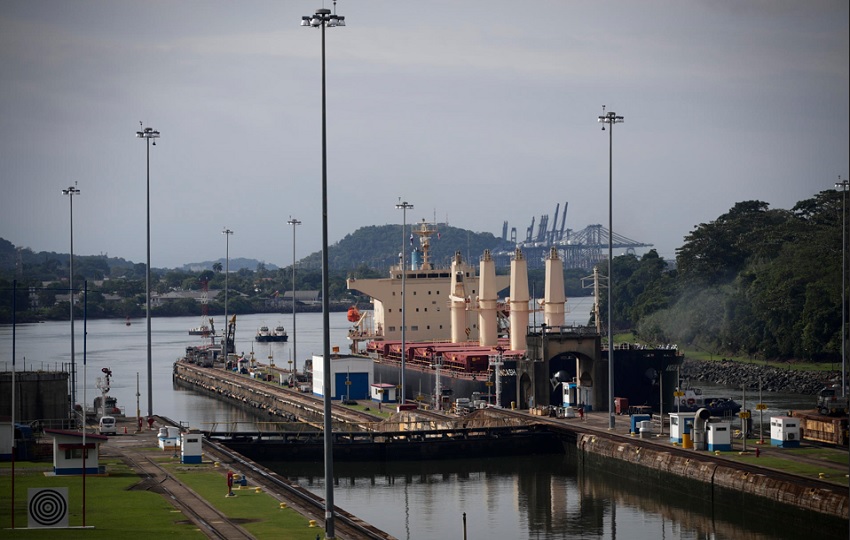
{"points": [[321, 19]]}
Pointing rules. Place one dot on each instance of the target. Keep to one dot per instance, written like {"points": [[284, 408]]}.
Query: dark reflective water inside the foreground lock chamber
{"points": [[548, 497]]}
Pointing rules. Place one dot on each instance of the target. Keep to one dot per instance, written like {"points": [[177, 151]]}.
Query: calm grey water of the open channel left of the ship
{"points": [[123, 349]]}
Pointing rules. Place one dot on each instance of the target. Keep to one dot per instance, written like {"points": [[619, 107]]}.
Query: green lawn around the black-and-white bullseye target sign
{"points": [[112, 510]]}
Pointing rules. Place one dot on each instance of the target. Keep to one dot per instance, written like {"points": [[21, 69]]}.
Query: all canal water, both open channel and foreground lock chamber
{"points": [[548, 497]]}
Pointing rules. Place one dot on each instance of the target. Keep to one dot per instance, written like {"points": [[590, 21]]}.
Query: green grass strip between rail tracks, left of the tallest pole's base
{"points": [[259, 513]]}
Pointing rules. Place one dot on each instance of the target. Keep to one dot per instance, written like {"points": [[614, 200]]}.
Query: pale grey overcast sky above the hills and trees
{"points": [[476, 112]]}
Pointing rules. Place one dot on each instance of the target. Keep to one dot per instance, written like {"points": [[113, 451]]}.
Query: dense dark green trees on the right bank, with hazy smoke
{"points": [[758, 282]]}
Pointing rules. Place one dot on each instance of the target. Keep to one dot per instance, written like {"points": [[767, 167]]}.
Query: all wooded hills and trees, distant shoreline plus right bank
{"points": [[756, 281]]}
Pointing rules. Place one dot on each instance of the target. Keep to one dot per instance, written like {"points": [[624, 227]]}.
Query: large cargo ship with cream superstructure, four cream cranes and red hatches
{"points": [[461, 340]]}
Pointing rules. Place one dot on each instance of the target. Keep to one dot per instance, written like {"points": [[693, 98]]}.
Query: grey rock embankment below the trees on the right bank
{"points": [[737, 374]]}
